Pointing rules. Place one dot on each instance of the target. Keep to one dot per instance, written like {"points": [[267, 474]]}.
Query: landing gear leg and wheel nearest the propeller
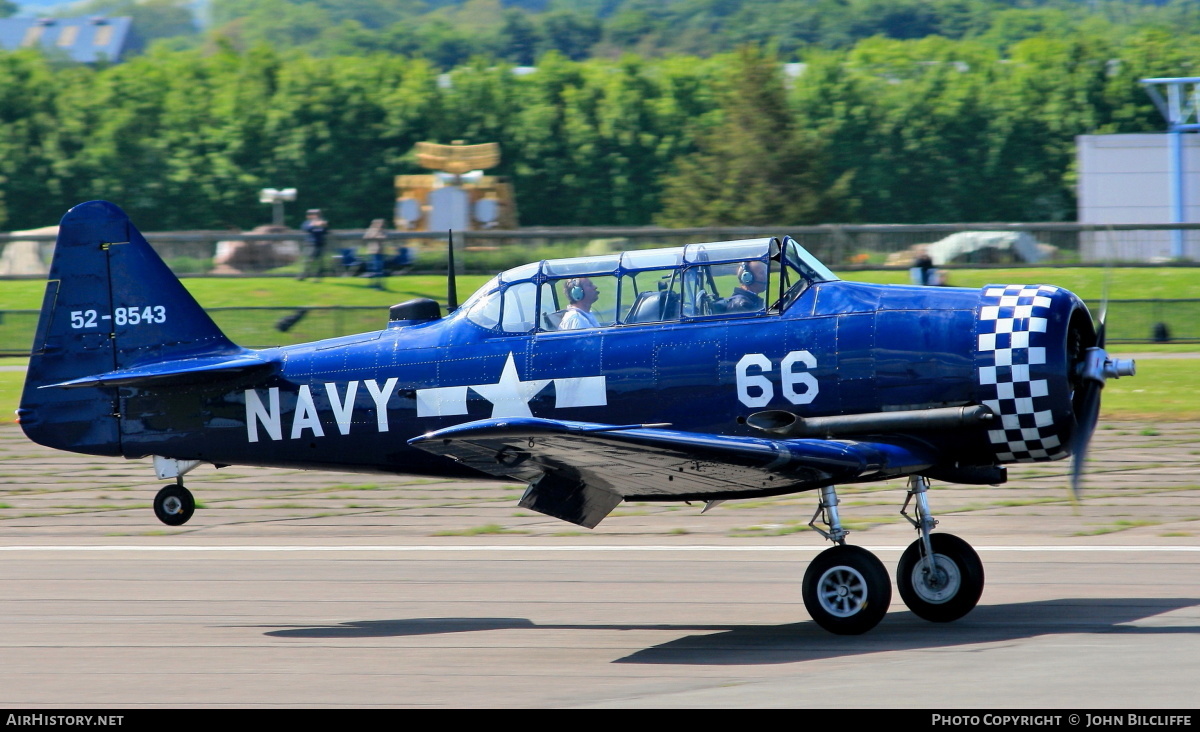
{"points": [[940, 577]]}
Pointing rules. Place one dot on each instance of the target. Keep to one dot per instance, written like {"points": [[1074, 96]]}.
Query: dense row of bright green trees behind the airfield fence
{"points": [[886, 131]]}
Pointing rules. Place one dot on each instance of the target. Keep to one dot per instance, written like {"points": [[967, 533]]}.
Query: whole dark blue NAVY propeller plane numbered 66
{"points": [[703, 374]]}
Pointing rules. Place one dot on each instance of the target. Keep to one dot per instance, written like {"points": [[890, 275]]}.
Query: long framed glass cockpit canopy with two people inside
{"points": [[715, 280]]}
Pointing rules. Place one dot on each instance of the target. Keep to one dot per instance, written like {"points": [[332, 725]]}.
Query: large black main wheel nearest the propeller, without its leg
{"points": [[949, 593]]}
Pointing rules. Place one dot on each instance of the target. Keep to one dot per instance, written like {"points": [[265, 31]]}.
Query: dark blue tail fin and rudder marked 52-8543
{"points": [[111, 305]]}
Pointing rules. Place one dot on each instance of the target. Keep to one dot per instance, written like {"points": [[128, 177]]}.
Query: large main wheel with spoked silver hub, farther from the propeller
{"points": [[847, 590]]}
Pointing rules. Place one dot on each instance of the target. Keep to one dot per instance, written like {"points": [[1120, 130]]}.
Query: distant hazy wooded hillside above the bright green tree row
{"points": [[448, 33]]}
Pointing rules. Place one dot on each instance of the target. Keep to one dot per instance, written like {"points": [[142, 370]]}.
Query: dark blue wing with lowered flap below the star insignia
{"points": [[581, 471]]}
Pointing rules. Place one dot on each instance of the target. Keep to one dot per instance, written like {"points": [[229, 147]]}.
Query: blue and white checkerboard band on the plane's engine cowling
{"points": [[1012, 339]]}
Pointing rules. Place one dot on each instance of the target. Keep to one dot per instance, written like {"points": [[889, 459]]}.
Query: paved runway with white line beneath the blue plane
{"points": [[309, 590]]}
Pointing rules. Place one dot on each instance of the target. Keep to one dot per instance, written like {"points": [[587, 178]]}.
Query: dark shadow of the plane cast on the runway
{"points": [[748, 645]]}
